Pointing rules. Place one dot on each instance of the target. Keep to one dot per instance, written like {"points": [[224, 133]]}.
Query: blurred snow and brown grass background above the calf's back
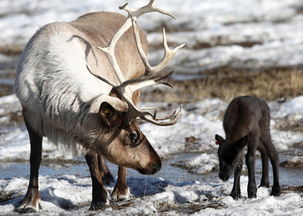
{"points": [[233, 47]]}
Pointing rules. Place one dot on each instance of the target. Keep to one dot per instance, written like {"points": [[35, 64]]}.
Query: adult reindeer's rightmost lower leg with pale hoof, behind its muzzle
{"points": [[121, 190]]}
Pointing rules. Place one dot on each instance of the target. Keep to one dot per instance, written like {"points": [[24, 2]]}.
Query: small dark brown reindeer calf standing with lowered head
{"points": [[246, 123]]}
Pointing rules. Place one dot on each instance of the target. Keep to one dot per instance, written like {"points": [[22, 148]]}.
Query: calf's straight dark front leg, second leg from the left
{"points": [[250, 162]]}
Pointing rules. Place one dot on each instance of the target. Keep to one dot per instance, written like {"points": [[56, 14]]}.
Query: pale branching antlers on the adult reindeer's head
{"points": [[153, 74]]}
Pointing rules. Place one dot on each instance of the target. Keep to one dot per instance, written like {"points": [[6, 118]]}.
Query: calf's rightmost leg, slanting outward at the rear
{"points": [[274, 159]]}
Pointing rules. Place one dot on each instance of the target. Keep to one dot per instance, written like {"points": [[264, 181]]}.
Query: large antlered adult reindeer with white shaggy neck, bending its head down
{"points": [[79, 82]]}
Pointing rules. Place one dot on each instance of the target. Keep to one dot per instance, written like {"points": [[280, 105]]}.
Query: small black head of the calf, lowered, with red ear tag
{"points": [[230, 154]]}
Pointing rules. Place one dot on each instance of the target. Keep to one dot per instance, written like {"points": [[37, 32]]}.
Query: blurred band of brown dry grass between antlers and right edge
{"points": [[227, 83]]}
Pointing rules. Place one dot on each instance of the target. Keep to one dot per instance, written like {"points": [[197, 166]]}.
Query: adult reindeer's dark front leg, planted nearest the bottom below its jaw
{"points": [[99, 193]]}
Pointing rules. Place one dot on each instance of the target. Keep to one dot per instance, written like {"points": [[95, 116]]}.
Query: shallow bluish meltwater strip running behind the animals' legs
{"points": [[289, 177]]}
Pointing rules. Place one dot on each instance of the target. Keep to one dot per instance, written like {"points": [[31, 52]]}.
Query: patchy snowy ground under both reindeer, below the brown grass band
{"points": [[202, 193]]}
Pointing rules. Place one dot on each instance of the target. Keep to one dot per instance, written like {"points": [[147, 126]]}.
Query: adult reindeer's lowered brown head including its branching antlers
{"points": [[125, 144]]}
